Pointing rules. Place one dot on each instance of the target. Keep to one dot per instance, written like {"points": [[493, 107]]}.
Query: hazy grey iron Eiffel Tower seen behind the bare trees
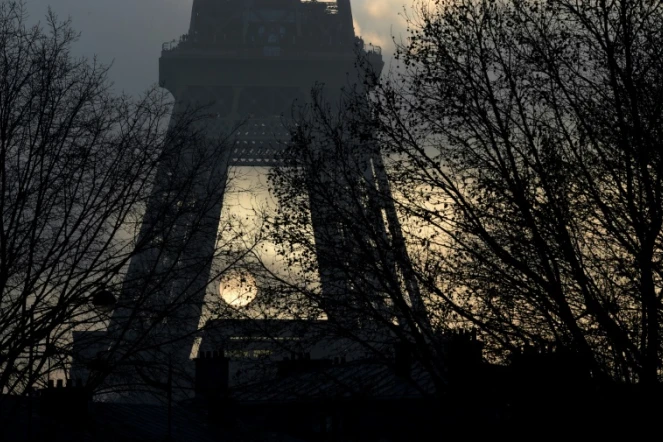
{"points": [[248, 58]]}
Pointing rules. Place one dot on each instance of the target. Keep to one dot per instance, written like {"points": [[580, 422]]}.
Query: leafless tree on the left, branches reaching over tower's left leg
{"points": [[80, 167]]}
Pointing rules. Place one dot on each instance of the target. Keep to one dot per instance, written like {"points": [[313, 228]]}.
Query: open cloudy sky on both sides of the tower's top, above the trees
{"points": [[130, 32]]}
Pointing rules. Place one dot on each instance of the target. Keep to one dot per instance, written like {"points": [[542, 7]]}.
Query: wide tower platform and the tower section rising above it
{"points": [[265, 42]]}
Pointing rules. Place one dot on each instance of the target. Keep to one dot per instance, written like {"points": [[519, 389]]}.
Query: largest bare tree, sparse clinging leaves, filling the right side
{"points": [[522, 142]]}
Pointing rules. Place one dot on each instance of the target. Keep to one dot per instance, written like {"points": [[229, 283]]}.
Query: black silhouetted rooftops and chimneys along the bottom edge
{"points": [[541, 393]]}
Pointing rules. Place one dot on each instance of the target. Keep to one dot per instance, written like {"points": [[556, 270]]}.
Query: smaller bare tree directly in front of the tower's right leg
{"points": [[333, 173]]}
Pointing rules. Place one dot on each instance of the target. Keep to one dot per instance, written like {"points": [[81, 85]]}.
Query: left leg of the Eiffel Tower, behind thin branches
{"points": [[159, 309]]}
